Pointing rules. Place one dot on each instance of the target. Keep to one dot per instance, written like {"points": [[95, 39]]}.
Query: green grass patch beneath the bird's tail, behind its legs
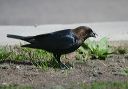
{"points": [[39, 58]]}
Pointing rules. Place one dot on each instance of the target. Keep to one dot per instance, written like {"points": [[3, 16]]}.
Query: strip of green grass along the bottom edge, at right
{"points": [[101, 85]]}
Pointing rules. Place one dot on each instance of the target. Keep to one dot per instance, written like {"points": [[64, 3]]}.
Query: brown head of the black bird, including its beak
{"points": [[83, 32]]}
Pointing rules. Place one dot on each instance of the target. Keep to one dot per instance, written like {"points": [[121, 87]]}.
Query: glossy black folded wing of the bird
{"points": [[57, 40]]}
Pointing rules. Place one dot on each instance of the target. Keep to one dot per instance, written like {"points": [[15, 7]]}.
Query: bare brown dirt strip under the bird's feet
{"points": [[114, 68]]}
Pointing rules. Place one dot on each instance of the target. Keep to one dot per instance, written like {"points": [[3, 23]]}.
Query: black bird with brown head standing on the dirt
{"points": [[58, 42]]}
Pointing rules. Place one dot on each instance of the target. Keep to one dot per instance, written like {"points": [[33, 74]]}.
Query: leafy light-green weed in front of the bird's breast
{"points": [[94, 49]]}
